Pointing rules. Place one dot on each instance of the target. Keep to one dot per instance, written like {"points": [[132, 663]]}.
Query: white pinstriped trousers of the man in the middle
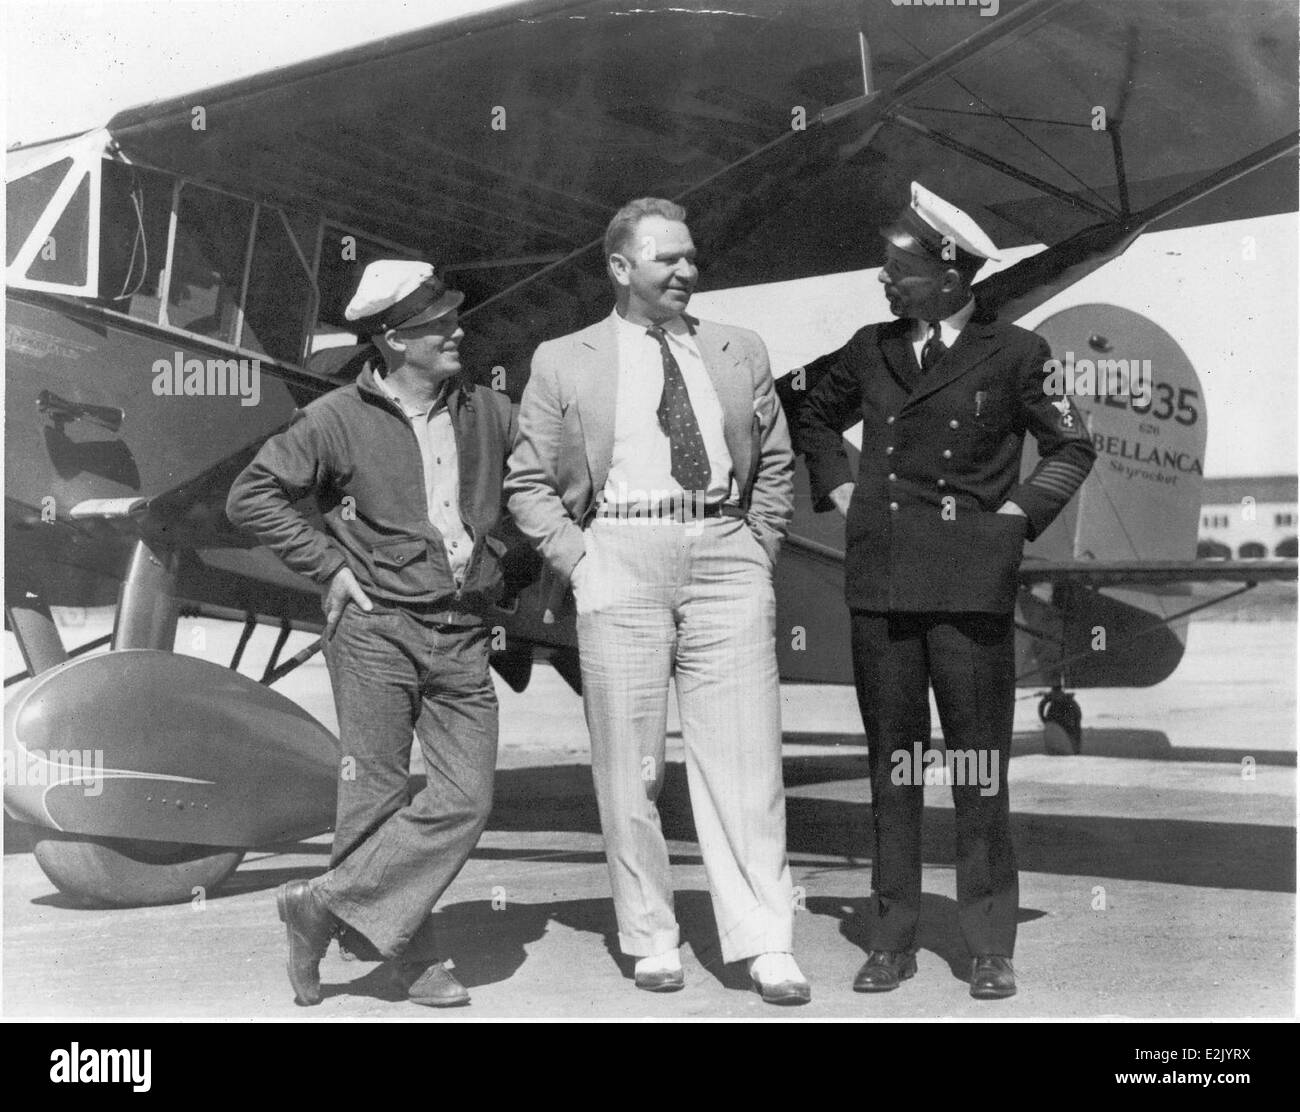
{"points": [[692, 603]]}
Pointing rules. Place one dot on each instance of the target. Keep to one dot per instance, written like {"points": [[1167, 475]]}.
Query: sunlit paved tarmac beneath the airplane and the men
{"points": [[1158, 877]]}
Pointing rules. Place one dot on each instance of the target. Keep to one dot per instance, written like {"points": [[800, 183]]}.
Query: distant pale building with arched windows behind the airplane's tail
{"points": [[1249, 518]]}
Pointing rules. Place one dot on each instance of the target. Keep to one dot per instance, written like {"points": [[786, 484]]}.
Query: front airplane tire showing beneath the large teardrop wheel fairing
{"points": [[132, 873]]}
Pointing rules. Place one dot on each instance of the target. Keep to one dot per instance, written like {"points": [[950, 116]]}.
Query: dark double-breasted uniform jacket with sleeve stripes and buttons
{"points": [[941, 453]]}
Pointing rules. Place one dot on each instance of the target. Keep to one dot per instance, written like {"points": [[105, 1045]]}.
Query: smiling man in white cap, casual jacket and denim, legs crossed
{"points": [[406, 466]]}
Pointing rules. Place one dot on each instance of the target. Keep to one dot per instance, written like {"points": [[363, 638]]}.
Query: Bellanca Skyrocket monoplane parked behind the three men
{"points": [[176, 284]]}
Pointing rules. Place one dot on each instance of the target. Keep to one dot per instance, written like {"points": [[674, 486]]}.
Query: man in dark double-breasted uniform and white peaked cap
{"points": [[937, 525]]}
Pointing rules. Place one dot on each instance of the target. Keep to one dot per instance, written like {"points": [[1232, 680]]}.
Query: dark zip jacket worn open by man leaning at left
{"points": [[357, 452]]}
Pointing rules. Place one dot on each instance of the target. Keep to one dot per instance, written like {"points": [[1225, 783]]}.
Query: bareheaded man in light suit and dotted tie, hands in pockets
{"points": [[653, 473]]}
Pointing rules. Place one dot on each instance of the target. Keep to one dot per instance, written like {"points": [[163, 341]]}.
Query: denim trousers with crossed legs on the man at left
{"points": [[396, 672]]}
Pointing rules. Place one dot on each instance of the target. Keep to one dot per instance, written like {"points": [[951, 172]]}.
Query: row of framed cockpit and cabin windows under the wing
{"points": [[175, 253]]}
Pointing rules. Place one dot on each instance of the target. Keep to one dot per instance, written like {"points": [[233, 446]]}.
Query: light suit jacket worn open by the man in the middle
{"points": [[566, 439]]}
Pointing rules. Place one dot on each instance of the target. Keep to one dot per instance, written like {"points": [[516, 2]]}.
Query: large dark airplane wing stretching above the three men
{"points": [[499, 145]]}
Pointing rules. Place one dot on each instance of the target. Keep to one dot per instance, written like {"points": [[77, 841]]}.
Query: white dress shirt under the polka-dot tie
{"points": [[642, 469]]}
